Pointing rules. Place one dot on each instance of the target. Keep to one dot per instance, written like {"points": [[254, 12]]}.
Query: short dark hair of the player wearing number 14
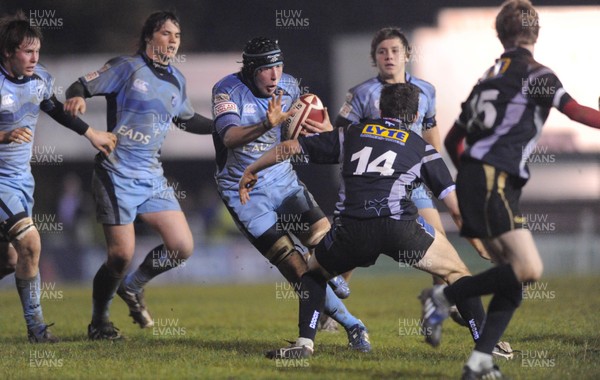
{"points": [[400, 101]]}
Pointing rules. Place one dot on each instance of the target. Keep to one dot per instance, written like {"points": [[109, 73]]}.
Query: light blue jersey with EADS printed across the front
{"points": [[142, 98]]}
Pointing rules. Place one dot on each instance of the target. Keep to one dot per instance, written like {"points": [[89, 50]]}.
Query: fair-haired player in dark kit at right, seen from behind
{"points": [[502, 120]]}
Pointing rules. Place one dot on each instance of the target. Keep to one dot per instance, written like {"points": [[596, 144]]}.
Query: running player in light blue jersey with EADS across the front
{"points": [[145, 94]]}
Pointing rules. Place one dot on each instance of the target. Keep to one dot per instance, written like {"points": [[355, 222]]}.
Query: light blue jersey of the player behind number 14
{"points": [[362, 102]]}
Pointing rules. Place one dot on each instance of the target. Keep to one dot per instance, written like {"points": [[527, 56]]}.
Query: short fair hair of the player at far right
{"points": [[517, 24]]}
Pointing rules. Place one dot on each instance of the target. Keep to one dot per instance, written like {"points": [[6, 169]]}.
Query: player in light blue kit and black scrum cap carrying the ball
{"points": [[248, 108]]}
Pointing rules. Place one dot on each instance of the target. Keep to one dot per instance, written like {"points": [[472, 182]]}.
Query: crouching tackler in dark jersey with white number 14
{"points": [[381, 163]]}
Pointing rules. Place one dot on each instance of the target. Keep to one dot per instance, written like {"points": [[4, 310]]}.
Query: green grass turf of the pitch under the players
{"points": [[221, 331]]}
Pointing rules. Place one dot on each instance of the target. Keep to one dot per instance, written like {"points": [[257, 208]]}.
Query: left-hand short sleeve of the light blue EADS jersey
{"points": [[108, 79]]}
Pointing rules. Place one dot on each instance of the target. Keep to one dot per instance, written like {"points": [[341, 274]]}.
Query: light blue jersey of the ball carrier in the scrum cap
{"points": [[234, 105]]}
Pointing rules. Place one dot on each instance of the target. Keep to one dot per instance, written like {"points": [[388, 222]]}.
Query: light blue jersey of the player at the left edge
{"points": [[21, 100]]}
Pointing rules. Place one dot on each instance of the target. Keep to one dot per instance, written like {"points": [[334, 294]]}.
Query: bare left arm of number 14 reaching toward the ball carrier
{"points": [[273, 156]]}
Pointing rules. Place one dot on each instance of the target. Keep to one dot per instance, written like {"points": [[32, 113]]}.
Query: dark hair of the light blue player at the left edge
{"points": [[14, 30]]}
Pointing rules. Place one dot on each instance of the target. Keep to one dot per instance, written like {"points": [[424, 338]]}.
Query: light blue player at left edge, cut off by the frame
{"points": [[25, 89]]}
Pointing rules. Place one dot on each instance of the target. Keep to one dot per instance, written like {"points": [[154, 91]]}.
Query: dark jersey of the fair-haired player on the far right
{"points": [[504, 114]]}
